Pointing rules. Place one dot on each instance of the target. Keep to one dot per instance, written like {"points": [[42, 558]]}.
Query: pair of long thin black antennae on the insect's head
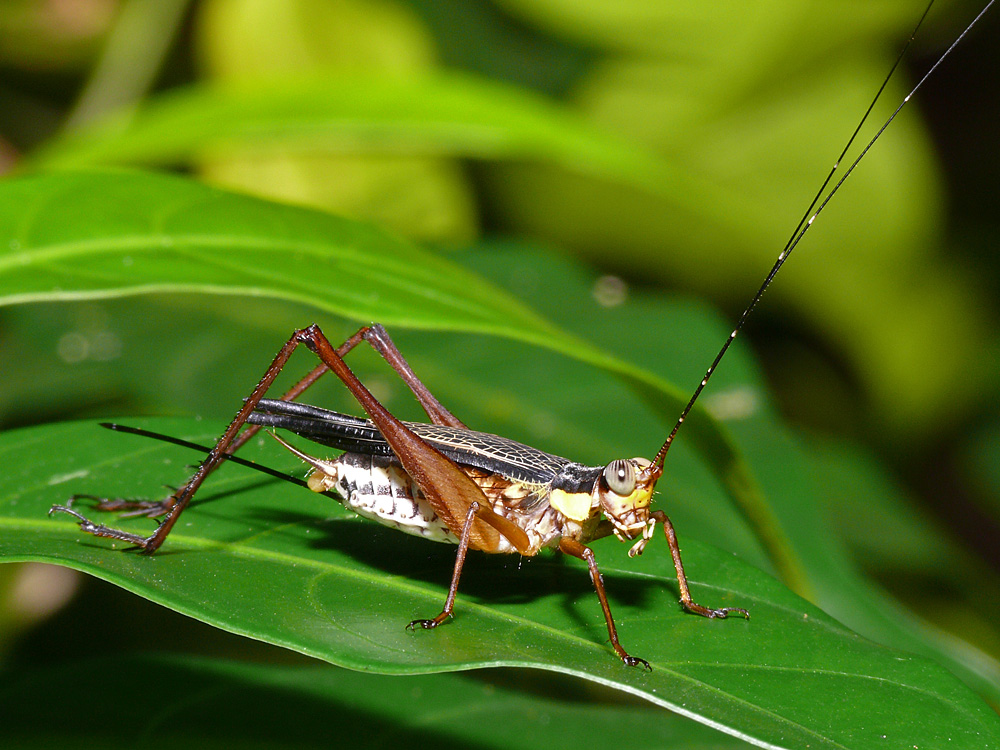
{"points": [[805, 223]]}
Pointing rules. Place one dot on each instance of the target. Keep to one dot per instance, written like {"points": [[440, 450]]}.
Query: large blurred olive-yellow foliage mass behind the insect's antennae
{"points": [[758, 103]]}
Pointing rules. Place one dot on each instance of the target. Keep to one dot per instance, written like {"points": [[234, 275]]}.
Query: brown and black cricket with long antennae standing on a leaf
{"points": [[448, 483]]}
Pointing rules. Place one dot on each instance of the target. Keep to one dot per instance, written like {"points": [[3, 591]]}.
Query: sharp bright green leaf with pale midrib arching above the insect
{"points": [[87, 235]]}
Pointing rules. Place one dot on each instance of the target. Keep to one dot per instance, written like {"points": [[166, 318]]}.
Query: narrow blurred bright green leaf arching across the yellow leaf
{"points": [[441, 113]]}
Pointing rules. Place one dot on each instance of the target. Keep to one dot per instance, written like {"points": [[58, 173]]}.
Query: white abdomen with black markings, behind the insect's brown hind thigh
{"points": [[378, 489]]}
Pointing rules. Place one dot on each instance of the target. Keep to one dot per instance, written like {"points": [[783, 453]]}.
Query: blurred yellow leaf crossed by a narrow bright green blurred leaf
{"points": [[422, 197]]}
